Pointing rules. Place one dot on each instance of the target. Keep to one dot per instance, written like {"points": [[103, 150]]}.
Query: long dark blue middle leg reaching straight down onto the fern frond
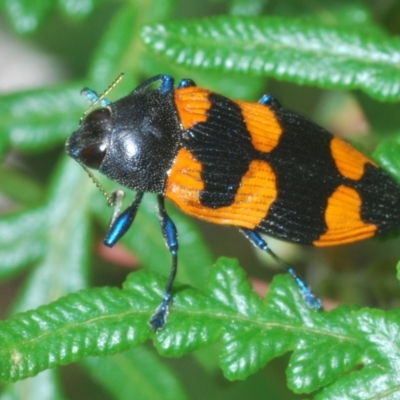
{"points": [[170, 234]]}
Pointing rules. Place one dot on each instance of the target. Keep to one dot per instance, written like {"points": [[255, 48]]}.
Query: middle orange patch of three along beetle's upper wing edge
{"points": [[262, 124]]}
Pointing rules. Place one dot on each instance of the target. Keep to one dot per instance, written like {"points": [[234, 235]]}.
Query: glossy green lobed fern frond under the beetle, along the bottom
{"points": [[327, 347]]}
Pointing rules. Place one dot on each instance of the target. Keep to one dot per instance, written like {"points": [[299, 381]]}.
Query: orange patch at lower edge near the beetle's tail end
{"points": [[343, 219]]}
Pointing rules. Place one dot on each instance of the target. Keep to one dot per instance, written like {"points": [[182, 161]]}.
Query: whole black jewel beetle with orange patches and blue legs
{"points": [[256, 166]]}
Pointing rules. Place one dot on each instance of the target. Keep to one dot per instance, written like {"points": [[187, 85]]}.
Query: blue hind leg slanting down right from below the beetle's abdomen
{"points": [[310, 298]]}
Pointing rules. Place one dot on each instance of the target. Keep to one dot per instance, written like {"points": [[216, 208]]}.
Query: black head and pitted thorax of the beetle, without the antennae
{"points": [[133, 141]]}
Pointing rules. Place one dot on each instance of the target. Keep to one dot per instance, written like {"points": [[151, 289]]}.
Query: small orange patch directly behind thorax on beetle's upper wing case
{"points": [[192, 104]]}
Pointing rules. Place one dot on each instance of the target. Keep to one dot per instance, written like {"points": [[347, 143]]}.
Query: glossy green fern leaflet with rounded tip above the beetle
{"points": [[337, 57]]}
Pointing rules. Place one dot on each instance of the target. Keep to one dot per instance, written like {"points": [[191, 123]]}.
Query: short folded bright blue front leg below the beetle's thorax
{"points": [[121, 223]]}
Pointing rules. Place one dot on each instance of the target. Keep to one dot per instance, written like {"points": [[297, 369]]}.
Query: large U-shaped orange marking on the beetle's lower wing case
{"points": [[256, 193]]}
